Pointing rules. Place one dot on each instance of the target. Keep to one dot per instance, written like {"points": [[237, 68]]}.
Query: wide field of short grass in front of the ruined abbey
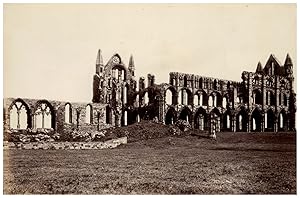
{"points": [[237, 163]]}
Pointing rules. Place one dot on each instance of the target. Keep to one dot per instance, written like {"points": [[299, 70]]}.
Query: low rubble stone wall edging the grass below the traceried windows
{"points": [[66, 145]]}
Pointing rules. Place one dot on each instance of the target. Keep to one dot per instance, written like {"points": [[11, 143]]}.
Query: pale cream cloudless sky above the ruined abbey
{"points": [[50, 50]]}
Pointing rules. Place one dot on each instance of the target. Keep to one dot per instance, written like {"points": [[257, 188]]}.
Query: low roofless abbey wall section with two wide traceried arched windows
{"points": [[36, 116]]}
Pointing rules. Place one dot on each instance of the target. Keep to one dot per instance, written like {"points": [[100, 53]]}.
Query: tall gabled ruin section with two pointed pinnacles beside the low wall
{"points": [[114, 85]]}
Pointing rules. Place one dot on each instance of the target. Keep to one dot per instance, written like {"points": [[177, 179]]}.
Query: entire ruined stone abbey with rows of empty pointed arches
{"points": [[262, 101]]}
